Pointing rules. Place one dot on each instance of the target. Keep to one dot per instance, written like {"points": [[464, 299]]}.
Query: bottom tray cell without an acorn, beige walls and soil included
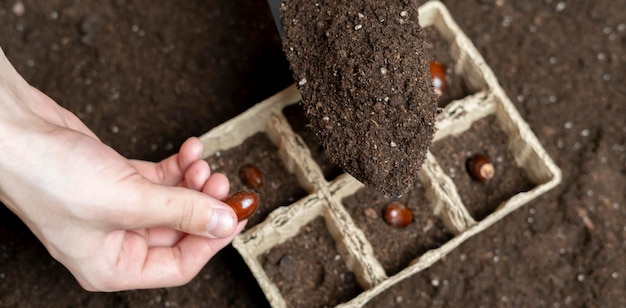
{"points": [[303, 255]]}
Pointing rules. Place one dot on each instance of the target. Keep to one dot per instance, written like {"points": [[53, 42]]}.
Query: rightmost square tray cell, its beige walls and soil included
{"points": [[487, 123]]}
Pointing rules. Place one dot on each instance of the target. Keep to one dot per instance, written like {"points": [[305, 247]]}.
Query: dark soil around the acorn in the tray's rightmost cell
{"points": [[485, 137]]}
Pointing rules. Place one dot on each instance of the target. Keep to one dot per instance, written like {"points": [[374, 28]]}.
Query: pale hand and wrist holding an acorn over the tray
{"points": [[115, 223]]}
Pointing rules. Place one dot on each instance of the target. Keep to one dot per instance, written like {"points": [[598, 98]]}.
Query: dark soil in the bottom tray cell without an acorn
{"points": [[308, 269]]}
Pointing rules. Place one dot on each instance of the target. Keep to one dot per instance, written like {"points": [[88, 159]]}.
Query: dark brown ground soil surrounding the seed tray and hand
{"points": [[144, 76]]}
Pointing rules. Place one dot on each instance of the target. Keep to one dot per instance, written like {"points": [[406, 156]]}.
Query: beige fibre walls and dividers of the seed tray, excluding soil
{"points": [[325, 197]]}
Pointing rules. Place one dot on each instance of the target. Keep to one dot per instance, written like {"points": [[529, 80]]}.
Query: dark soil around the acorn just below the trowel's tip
{"points": [[395, 247]]}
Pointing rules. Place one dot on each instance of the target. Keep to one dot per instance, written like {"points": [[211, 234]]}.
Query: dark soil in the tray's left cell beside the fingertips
{"points": [[280, 187]]}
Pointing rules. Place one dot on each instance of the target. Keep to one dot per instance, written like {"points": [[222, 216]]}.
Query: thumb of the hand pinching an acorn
{"points": [[185, 210]]}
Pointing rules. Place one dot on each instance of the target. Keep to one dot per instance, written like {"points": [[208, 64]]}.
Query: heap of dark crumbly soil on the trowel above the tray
{"points": [[364, 78]]}
